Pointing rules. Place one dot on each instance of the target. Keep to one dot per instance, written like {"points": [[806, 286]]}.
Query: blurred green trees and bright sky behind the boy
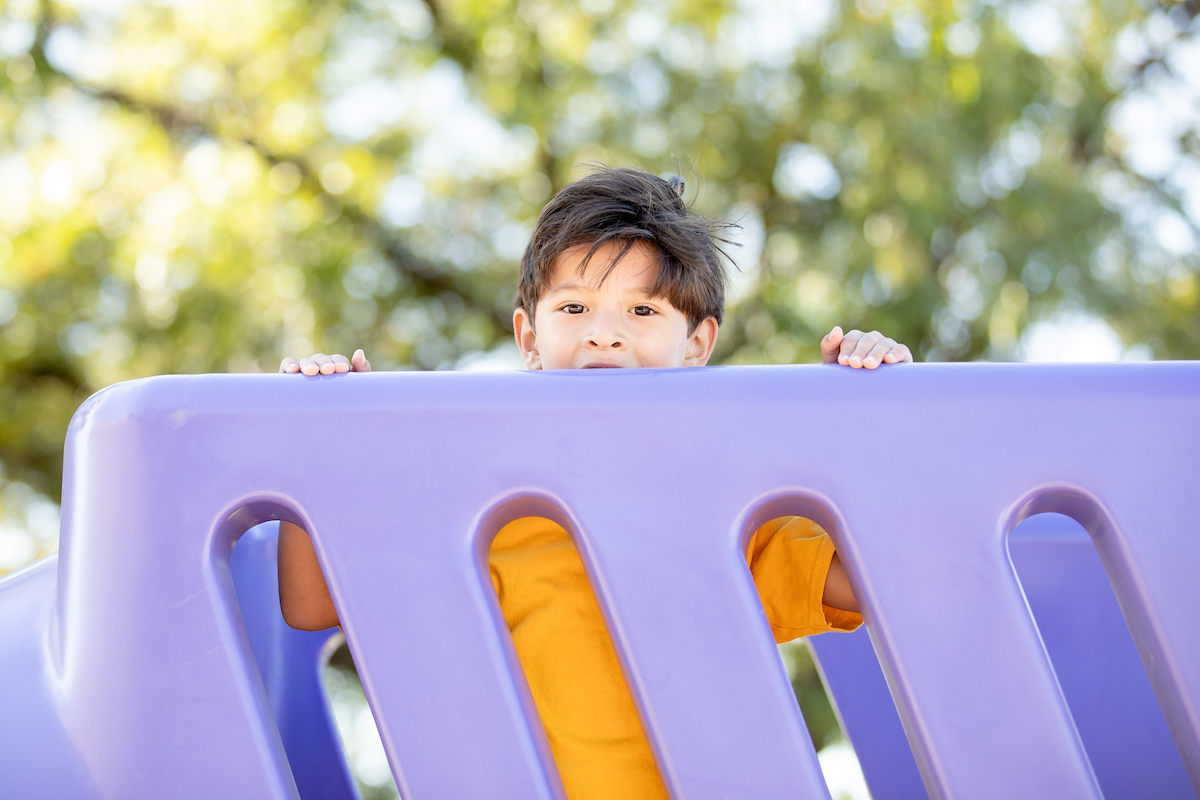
{"points": [[194, 187]]}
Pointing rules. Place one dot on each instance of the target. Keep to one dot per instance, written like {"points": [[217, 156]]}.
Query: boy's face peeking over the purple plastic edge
{"points": [[583, 324]]}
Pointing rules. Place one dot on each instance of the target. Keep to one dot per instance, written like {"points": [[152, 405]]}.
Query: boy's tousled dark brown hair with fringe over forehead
{"points": [[631, 207]]}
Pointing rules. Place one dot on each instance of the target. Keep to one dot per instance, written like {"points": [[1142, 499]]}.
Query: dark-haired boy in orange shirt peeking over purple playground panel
{"points": [[619, 274]]}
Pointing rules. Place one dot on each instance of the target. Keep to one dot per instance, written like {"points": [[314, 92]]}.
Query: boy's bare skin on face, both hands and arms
{"points": [[583, 323]]}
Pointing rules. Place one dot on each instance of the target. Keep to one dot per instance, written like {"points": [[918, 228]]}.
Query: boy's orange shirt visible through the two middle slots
{"points": [[571, 664]]}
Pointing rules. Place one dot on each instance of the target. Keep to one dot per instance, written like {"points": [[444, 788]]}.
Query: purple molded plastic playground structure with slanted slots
{"points": [[129, 672]]}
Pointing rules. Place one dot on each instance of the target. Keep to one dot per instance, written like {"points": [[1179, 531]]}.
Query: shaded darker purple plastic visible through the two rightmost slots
{"points": [[1094, 657]]}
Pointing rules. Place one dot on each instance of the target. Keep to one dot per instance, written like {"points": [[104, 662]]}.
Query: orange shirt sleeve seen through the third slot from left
{"points": [[790, 561]]}
